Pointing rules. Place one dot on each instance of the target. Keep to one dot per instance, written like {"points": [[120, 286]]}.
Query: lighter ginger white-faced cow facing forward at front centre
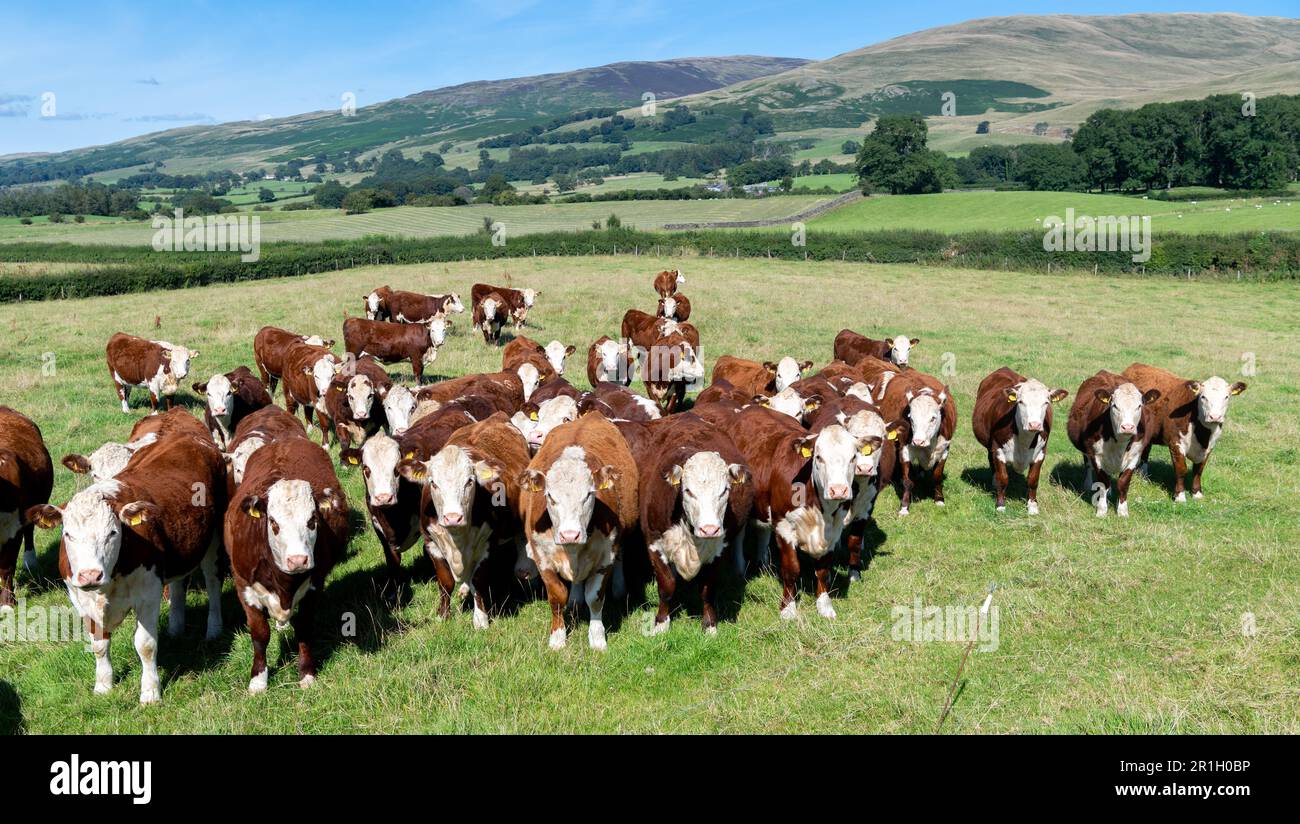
{"points": [[579, 498]]}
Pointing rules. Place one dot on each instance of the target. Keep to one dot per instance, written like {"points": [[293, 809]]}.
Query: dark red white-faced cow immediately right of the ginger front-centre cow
{"points": [[695, 492]]}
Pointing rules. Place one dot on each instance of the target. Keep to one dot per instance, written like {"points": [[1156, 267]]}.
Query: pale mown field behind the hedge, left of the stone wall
{"points": [[414, 222]]}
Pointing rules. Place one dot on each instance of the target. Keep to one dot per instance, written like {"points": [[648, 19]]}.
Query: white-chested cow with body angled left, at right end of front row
{"points": [[803, 492]]}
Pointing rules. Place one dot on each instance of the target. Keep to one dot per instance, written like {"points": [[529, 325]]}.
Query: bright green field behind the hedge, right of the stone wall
{"points": [[998, 211]]}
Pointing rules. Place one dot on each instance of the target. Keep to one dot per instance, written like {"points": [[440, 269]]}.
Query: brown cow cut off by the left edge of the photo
{"points": [[27, 479]]}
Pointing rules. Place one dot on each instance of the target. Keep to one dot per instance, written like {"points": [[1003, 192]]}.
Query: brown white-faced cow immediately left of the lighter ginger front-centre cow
{"points": [[470, 506]]}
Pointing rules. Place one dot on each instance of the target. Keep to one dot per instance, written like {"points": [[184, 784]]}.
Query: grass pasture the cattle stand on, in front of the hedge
{"points": [[1104, 626]]}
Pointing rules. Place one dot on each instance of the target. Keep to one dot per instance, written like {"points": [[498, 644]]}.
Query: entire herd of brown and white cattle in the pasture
{"points": [[573, 487]]}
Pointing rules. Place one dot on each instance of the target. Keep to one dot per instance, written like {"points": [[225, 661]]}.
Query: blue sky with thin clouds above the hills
{"points": [[122, 70]]}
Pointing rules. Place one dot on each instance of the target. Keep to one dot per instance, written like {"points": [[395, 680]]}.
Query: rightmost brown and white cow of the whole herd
{"points": [[1191, 417]]}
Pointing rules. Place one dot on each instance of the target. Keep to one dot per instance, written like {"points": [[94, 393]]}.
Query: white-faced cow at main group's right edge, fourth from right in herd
{"points": [[925, 406]]}
